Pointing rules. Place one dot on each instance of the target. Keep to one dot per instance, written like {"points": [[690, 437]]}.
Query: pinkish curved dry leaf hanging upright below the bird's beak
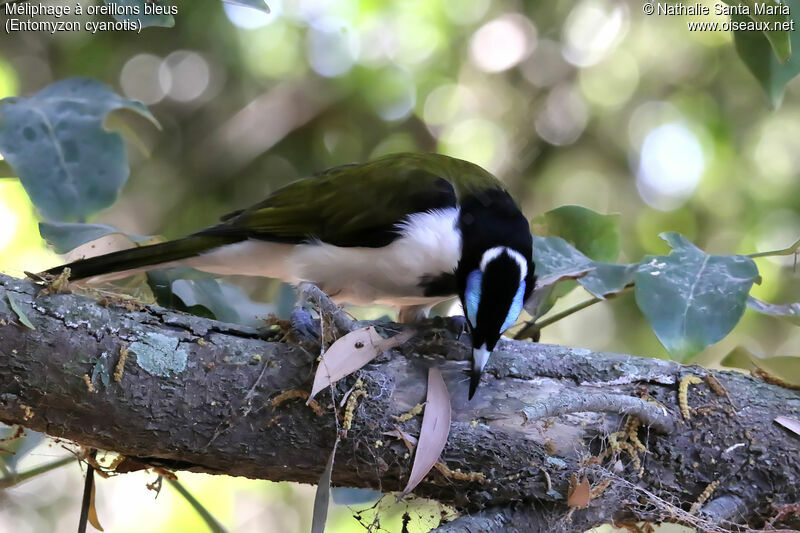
{"points": [[434, 431]]}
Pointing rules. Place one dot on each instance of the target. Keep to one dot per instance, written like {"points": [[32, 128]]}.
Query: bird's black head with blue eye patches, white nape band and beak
{"points": [[496, 272]]}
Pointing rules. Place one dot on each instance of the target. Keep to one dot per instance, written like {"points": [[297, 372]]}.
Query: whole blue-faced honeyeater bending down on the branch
{"points": [[406, 230]]}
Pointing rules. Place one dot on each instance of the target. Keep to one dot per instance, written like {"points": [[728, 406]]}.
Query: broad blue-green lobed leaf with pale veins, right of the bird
{"points": [[690, 298]]}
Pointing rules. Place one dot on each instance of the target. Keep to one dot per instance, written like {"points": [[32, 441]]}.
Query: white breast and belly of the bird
{"points": [[429, 245]]}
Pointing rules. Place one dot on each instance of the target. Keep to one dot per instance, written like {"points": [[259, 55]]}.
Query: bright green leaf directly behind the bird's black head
{"points": [[595, 235]]}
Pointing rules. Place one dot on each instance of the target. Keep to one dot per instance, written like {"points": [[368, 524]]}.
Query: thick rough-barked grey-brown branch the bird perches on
{"points": [[197, 395]]}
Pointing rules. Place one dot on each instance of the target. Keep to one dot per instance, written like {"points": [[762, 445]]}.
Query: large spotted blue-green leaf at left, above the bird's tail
{"points": [[70, 166]]}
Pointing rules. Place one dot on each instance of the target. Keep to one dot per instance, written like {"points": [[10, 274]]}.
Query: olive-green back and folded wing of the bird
{"points": [[356, 205]]}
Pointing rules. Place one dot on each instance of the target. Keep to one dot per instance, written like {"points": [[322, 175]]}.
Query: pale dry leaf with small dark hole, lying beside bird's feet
{"points": [[352, 352]]}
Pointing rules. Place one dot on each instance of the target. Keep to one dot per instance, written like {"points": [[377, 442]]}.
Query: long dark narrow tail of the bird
{"points": [[141, 258]]}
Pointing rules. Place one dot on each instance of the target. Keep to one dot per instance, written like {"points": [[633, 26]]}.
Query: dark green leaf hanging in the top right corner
{"points": [[757, 53]]}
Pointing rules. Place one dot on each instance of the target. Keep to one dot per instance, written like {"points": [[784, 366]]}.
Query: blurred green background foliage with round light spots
{"points": [[586, 103]]}
